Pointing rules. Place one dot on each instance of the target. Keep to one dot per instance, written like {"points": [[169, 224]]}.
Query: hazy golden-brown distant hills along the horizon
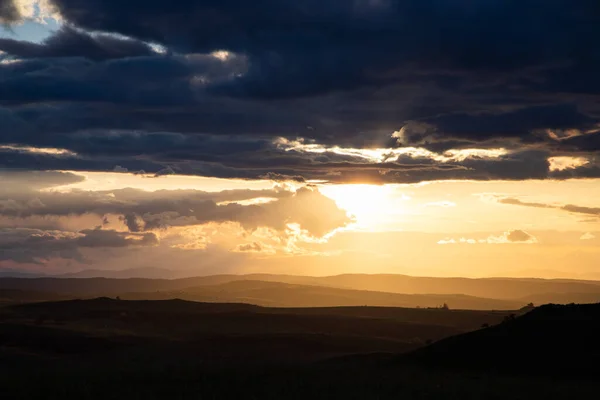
{"points": [[340, 290]]}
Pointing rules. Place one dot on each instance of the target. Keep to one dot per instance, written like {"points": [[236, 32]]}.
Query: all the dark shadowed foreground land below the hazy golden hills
{"points": [[117, 349]]}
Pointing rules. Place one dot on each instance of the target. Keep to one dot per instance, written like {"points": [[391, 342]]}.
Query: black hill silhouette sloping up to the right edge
{"points": [[552, 339]]}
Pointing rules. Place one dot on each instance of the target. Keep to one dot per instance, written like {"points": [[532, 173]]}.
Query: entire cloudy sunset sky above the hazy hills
{"points": [[421, 137]]}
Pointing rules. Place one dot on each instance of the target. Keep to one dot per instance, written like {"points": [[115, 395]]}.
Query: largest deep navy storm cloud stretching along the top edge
{"points": [[319, 46]]}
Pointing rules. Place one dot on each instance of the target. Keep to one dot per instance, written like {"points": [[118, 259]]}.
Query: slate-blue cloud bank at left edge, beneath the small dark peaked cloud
{"points": [[159, 80]]}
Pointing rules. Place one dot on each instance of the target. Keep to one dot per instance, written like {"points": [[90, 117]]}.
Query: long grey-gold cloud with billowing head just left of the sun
{"points": [[143, 211]]}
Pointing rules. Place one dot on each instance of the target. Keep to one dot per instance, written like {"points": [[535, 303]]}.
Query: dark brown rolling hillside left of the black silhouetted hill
{"points": [[233, 332]]}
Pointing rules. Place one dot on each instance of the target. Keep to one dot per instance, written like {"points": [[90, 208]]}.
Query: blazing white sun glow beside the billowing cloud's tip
{"points": [[369, 204]]}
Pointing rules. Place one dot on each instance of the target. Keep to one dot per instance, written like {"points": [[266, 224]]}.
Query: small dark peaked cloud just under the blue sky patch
{"points": [[69, 42]]}
